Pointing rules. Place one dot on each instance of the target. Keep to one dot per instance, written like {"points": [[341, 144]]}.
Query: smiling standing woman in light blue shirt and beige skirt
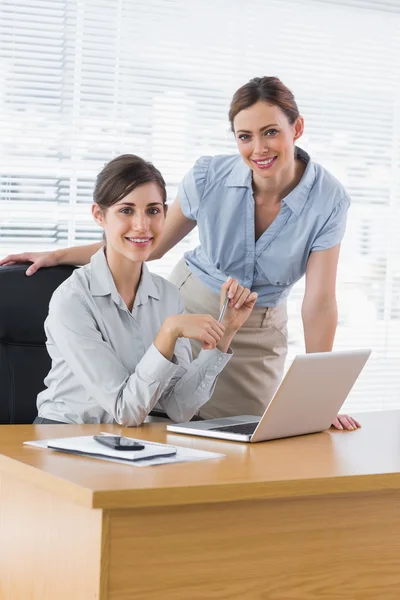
{"points": [[266, 217]]}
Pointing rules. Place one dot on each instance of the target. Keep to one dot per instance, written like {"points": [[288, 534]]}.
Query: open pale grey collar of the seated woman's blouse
{"points": [[102, 282]]}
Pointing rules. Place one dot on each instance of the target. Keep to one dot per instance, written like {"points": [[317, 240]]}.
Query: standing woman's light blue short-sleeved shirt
{"points": [[217, 193]]}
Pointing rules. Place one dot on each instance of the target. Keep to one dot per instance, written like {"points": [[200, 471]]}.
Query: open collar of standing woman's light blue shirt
{"points": [[240, 176]]}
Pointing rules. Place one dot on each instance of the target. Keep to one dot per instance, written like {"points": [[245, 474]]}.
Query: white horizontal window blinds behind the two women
{"points": [[82, 81]]}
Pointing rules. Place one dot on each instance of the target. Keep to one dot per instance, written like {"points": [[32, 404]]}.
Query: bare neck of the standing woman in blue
{"points": [[274, 189]]}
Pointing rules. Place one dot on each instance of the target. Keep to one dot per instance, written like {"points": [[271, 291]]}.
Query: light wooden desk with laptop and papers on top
{"points": [[314, 517]]}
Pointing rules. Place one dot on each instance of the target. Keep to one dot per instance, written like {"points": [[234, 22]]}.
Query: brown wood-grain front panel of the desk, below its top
{"points": [[325, 548]]}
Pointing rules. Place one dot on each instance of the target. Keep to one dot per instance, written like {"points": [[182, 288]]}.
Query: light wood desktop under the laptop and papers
{"points": [[331, 462]]}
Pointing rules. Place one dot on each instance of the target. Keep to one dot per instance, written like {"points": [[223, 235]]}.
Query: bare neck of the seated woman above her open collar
{"points": [[126, 274]]}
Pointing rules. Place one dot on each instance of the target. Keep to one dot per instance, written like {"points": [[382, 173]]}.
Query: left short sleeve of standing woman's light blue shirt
{"points": [[191, 188]]}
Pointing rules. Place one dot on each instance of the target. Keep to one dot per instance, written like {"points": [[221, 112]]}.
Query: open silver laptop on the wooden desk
{"points": [[307, 401]]}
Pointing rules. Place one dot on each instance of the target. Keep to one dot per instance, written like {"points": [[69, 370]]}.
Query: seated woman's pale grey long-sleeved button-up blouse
{"points": [[105, 367]]}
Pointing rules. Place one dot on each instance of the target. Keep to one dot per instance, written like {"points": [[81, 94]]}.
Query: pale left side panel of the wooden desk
{"points": [[50, 548]]}
